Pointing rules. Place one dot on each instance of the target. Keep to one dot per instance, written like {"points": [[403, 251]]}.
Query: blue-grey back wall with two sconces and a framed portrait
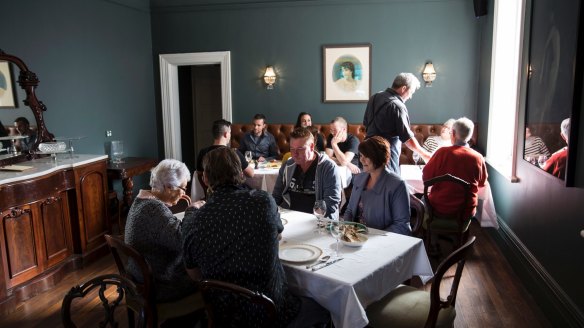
{"points": [[289, 36]]}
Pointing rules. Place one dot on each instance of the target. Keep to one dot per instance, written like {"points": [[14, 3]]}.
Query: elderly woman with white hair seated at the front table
{"points": [[156, 233]]}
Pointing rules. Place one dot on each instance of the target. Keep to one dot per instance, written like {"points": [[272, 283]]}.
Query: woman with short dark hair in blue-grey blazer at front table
{"points": [[379, 198]]}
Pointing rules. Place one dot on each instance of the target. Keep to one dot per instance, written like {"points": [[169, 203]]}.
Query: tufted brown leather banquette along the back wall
{"points": [[281, 133]]}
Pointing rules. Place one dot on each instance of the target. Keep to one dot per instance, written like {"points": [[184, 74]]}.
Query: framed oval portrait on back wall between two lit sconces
{"points": [[346, 72]]}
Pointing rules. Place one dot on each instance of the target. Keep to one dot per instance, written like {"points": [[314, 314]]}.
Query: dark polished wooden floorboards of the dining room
{"points": [[490, 295]]}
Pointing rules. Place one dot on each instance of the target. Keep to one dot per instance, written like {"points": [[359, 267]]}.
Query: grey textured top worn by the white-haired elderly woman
{"points": [[154, 232]]}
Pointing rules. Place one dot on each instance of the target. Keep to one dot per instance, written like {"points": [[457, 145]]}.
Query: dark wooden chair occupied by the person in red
{"points": [[457, 223]]}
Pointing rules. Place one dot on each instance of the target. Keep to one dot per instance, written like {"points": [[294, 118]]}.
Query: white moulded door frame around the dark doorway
{"points": [[169, 89]]}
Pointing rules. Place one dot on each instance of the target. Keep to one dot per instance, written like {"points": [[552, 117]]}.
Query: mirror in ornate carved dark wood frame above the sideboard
{"points": [[28, 81]]}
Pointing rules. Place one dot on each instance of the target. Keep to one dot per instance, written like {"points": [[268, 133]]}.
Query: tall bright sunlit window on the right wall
{"points": [[505, 73]]}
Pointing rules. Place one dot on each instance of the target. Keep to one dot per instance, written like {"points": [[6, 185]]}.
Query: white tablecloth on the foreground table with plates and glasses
{"points": [[365, 274]]}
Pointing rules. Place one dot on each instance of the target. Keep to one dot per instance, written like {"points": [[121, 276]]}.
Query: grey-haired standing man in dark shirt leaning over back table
{"points": [[387, 116]]}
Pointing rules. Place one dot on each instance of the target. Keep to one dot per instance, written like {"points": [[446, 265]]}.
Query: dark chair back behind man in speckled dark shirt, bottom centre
{"points": [[232, 297]]}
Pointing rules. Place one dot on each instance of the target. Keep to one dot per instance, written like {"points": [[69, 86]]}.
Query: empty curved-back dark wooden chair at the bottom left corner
{"points": [[110, 300]]}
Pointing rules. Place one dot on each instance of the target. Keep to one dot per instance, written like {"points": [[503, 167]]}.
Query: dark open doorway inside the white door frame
{"points": [[200, 105]]}
